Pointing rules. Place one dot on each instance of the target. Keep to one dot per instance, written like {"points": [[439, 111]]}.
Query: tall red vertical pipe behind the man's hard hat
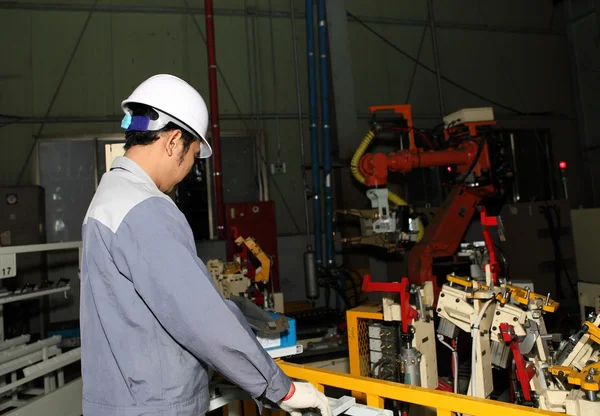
{"points": [[214, 116]]}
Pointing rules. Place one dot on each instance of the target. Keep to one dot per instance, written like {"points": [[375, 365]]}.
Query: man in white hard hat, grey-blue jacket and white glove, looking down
{"points": [[153, 324]]}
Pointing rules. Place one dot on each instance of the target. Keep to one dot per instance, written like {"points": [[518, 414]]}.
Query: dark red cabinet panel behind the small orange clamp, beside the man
{"points": [[256, 220]]}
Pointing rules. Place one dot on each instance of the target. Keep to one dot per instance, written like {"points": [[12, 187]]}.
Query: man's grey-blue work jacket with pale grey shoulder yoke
{"points": [[152, 320]]}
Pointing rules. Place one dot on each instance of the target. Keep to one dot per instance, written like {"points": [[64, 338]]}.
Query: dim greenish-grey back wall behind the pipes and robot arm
{"points": [[514, 52]]}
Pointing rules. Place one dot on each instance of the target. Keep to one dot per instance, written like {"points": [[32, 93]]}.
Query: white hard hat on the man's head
{"points": [[175, 101]]}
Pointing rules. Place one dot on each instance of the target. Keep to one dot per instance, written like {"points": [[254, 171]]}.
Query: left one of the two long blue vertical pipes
{"points": [[314, 132]]}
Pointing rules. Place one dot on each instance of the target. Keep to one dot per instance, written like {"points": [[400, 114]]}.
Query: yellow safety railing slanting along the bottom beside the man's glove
{"points": [[378, 390]]}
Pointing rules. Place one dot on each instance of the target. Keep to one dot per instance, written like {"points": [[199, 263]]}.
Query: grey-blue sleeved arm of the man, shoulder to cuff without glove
{"points": [[157, 246]]}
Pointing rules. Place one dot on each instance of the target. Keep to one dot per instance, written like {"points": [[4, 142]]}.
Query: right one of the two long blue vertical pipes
{"points": [[326, 130]]}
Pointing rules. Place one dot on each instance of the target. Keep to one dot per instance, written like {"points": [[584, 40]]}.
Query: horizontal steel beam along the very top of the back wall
{"points": [[109, 8]]}
